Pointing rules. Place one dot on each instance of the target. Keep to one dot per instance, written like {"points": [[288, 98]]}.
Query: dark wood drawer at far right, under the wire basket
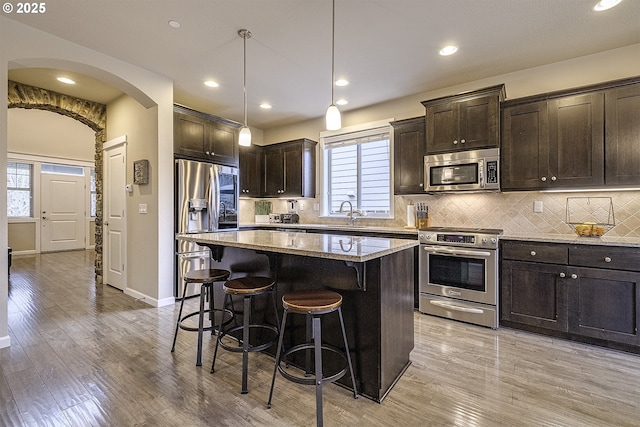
{"points": [[615, 258]]}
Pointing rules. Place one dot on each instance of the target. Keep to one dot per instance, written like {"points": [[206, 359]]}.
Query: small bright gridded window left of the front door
{"points": [[19, 190]]}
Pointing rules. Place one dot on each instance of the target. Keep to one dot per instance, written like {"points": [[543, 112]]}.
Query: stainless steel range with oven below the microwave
{"points": [[458, 270]]}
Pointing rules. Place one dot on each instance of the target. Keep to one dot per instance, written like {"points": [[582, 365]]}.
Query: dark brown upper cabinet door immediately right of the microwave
{"points": [[525, 139]]}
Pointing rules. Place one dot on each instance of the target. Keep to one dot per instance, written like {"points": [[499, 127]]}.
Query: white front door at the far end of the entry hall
{"points": [[62, 204]]}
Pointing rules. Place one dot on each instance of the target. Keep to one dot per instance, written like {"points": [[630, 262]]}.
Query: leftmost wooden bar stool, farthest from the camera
{"points": [[206, 277]]}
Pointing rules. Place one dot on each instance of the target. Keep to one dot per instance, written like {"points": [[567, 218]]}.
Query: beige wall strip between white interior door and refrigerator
{"points": [[127, 117]]}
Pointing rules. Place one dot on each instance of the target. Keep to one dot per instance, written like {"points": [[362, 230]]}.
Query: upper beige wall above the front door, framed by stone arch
{"points": [[45, 133]]}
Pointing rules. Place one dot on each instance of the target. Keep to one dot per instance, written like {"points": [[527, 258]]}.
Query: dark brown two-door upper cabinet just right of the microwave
{"points": [[553, 144]]}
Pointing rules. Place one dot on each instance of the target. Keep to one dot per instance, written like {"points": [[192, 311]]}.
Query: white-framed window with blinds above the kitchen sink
{"points": [[357, 168]]}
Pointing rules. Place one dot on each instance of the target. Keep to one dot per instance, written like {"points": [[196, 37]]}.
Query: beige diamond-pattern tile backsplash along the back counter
{"points": [[512, 212]]}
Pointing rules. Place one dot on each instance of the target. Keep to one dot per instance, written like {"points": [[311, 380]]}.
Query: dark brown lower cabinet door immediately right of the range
{"points": [[533, 294]]}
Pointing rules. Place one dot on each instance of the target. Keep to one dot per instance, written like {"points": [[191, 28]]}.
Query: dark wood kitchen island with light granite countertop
{"points": [[373, 275]]}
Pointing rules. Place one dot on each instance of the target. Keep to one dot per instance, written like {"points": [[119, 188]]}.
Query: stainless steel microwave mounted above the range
{"points": [[474, 170]]}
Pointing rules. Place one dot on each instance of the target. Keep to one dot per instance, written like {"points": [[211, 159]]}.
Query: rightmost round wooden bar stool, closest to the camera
{"points": [[313, 304]]}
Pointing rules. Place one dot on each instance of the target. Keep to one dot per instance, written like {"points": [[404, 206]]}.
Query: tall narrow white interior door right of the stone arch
{"points": [[114, 206]]}
